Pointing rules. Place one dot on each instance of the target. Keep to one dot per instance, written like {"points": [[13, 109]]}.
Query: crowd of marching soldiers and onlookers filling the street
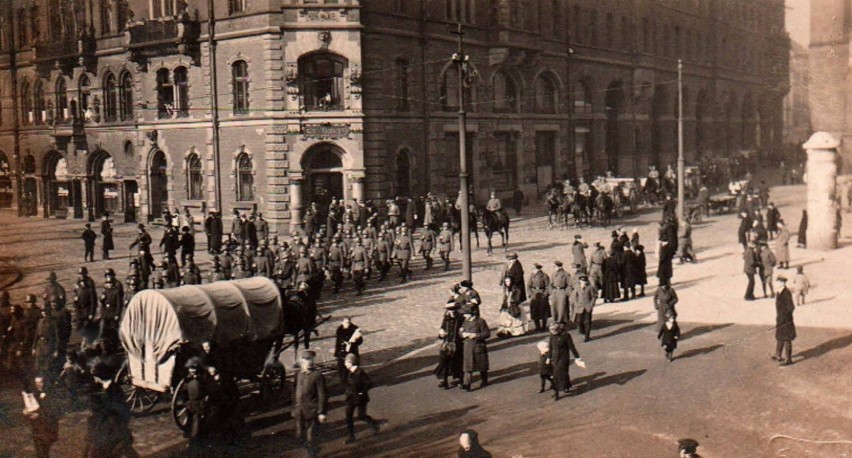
{"points": [[356, 241]]}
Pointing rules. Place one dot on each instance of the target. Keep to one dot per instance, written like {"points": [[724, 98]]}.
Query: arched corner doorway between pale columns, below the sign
{"points": [[323, 166]]}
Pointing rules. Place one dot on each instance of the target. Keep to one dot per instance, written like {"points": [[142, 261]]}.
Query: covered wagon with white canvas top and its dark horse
{"points": [[242, 322]]}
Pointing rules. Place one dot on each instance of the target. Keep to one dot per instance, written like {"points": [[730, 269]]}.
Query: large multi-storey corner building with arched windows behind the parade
{"points": [[108, 105]]}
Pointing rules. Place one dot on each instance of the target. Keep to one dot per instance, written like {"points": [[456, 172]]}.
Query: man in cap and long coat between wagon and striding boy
{"points": [[309, 400]]}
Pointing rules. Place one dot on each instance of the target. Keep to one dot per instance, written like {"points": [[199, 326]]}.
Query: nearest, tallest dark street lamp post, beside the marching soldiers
{"points": [[461, 61]]}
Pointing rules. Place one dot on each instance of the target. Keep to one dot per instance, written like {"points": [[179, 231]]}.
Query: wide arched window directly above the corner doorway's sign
{"points": [[322, 81]]}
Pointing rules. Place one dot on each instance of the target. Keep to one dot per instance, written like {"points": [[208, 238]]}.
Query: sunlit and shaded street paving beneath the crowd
{"points": [[722, 389]]}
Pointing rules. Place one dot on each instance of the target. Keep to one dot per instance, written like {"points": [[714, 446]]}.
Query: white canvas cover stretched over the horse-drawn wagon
{"points": [[226, 313]]}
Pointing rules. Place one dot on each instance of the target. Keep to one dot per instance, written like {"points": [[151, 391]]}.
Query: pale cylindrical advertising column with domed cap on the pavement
{"points": [[822, 191]]}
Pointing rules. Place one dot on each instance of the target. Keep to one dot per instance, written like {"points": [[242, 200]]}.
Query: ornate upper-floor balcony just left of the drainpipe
{"points": [[164, 37]]}
